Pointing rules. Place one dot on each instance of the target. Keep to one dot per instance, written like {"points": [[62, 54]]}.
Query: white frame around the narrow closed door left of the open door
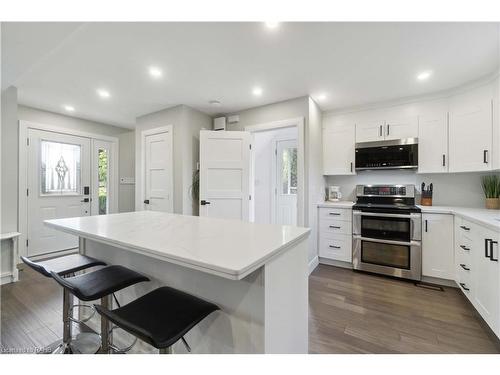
{"points": [[142, 183]]}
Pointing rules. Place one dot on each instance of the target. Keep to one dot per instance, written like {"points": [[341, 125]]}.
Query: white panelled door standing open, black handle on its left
{"points": [[225, 174]]}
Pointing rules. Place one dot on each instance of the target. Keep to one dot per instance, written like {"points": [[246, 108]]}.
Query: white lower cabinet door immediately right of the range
{"points": [[437, 246]]}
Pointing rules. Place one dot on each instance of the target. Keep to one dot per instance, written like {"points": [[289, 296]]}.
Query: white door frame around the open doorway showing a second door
{"points": [[299, 123]]}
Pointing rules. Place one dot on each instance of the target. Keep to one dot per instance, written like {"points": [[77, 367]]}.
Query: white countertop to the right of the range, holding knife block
{"points": [[481, 216]]}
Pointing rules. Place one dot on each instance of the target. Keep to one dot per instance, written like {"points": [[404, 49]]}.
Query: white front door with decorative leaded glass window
{"points": [[58, 178]]}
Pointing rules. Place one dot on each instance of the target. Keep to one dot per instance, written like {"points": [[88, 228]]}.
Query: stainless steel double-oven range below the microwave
{"points": [[387, 231]]}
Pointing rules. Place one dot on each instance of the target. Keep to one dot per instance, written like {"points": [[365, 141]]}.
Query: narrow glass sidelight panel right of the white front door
{"points": [[103, 178]]}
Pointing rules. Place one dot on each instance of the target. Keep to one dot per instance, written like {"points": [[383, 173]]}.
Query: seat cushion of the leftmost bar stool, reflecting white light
{"points": [[64, 265]]}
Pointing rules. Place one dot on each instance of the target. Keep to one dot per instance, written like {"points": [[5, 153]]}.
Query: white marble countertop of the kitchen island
{"points": [[227, 248]]}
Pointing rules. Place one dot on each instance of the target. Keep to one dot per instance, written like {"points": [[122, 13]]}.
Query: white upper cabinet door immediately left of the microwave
{"points": [[338, 150]]}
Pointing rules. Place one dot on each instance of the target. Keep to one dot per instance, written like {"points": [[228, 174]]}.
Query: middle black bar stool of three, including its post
{"points": [[101, 284]]}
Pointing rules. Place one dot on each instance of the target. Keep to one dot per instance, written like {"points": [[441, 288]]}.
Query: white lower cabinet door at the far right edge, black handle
{"points": [[486, 276]]}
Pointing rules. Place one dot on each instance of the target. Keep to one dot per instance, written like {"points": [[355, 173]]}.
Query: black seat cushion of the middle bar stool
{"points": [[94, 285]]}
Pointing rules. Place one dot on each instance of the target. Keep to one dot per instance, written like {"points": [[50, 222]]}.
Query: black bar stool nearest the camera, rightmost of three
{"points": [[161, 317]]}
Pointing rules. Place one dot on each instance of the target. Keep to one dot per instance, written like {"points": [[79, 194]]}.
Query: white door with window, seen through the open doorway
{"points": [[286, 182]]}
